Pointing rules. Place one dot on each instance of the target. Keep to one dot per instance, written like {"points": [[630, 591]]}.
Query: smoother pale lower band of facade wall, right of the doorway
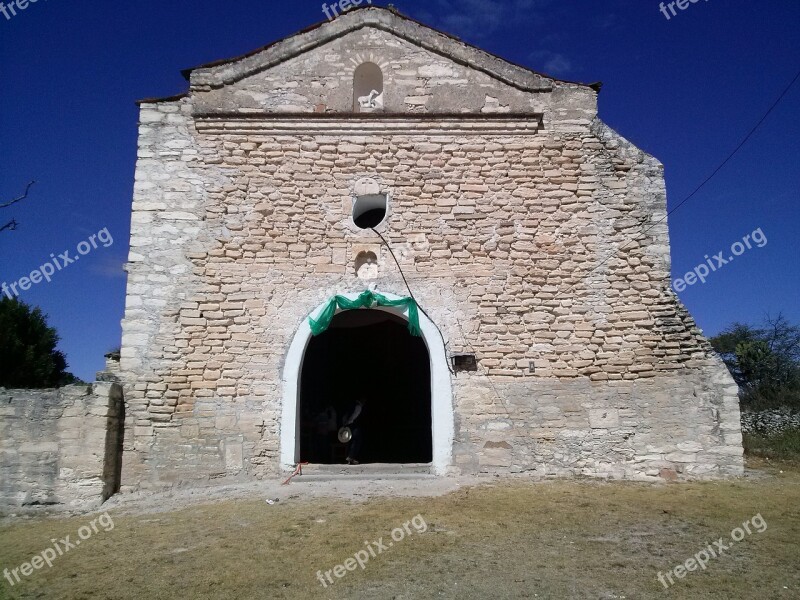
{"points": [[684, 425]]}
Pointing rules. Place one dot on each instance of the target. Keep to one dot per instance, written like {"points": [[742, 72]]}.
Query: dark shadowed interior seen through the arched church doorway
{"points": [[368, 354]]}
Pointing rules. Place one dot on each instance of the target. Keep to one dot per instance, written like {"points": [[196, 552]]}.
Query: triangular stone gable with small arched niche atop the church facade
{"points": [[423, 70]]}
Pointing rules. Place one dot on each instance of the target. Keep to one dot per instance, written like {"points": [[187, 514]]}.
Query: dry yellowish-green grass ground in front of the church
{"points": [[508, 539]]}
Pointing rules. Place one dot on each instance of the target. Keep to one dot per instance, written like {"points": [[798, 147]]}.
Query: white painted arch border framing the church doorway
{"points": [[441, 389]]}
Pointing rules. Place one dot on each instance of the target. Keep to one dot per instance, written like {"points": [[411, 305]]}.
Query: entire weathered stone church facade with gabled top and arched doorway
{"points": [[532, 237]]}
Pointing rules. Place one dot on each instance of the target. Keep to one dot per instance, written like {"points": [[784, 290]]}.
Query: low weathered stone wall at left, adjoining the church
{"points": [[60, 446]]}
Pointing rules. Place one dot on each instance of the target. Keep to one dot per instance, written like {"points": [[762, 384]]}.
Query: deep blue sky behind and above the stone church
{"points": [[685, 89]]}
